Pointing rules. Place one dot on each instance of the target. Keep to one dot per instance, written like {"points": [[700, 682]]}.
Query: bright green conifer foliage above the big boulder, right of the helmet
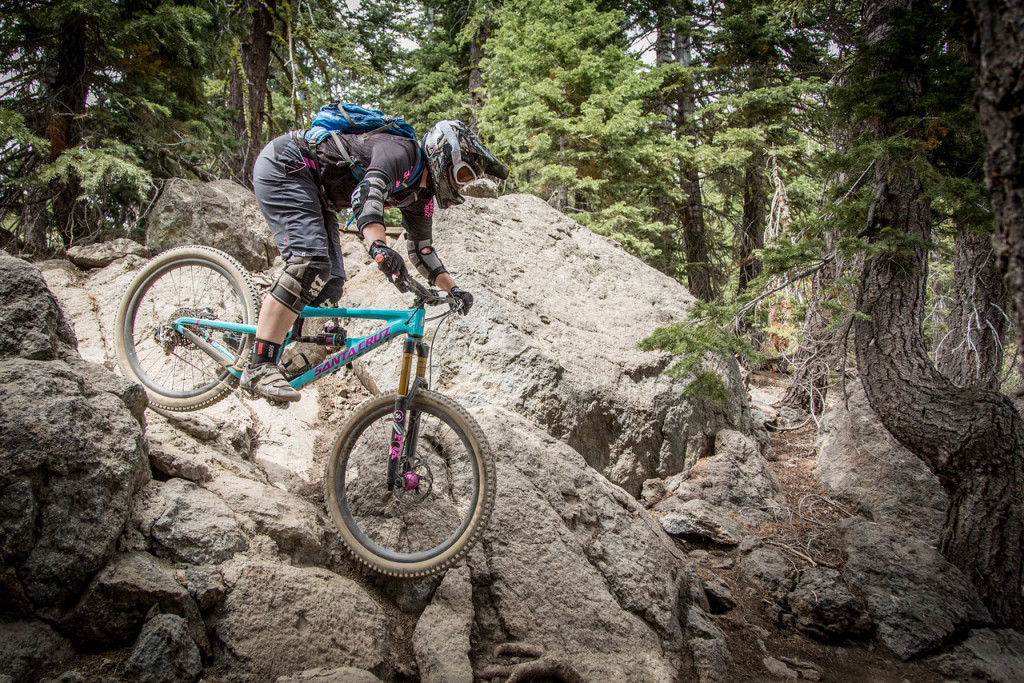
{"points": [[565, 104]]}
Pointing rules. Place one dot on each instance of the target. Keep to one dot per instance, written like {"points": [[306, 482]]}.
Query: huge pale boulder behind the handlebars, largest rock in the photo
{"points": [[553, 336]]}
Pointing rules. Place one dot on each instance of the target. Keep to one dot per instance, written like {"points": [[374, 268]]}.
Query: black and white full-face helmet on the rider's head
{"points": [[456, 158]]}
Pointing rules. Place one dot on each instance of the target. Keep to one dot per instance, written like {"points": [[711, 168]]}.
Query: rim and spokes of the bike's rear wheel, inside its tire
{"points": [[168, 363]]}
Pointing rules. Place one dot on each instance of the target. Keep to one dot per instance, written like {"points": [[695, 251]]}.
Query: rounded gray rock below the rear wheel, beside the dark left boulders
{"points": [[187, 524]]}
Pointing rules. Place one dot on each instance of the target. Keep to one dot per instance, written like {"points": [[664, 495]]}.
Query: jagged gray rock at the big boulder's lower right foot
{"points": [[722, 497]]}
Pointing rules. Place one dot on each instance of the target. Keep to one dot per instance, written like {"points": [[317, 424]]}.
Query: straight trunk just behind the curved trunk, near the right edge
{"points": [[971, 353]]}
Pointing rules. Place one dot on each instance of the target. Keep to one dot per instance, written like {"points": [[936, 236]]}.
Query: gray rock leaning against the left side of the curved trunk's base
{"points": [[859, 460]]}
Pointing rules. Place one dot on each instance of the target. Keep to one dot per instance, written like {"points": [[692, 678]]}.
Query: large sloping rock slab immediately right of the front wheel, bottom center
{"points": [[573, 565]]}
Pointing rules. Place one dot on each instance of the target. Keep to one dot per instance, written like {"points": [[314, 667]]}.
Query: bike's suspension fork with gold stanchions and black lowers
{"points": [[406, 423]]}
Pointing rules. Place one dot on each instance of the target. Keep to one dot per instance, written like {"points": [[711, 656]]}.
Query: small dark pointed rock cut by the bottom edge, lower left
{"points": [[164, 654]]}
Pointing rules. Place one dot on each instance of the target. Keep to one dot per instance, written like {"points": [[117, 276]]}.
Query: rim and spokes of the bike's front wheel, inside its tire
{"points": [[408, 527]]}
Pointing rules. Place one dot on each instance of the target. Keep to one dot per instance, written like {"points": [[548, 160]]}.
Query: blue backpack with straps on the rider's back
{"points": [[349, 118]]}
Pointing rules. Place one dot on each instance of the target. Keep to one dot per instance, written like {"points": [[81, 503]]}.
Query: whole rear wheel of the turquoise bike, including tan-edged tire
{"points": [[189, 282]]}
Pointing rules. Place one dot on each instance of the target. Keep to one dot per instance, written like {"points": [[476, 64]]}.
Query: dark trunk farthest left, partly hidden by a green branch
{"points": [[64, 131]]}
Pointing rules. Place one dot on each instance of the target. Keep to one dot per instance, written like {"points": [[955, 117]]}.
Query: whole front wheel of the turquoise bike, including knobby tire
{"points": [[421, 530]]}
